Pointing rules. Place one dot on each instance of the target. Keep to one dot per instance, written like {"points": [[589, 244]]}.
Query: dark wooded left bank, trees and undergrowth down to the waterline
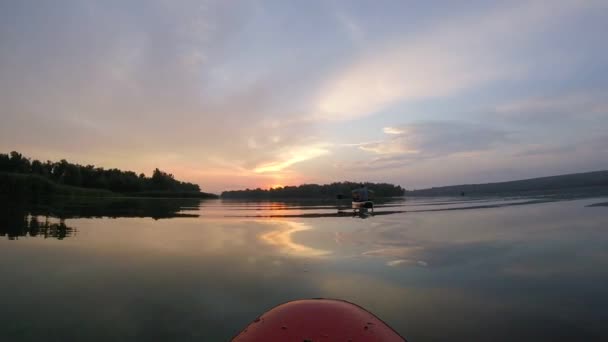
{"points": [[18, 171]]}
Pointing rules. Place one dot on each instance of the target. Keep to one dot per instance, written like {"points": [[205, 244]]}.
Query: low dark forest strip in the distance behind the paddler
{"points": [[315, 191]]}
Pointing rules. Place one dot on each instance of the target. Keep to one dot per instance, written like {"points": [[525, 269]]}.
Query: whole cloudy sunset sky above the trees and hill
{"points": [[245, 94]]}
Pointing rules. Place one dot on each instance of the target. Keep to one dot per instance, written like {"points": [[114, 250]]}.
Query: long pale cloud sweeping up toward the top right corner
{"points": [[462, 53]]}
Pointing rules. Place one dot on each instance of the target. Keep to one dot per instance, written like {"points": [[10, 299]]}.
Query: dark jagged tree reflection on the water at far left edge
{"points": [[16, 221]]}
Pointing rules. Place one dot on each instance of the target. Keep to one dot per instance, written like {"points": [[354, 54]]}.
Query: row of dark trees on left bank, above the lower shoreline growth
{"points": [[92, 177]]}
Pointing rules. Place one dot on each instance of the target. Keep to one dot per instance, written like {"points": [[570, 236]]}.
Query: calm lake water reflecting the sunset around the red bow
{"points": [[457, 269]]}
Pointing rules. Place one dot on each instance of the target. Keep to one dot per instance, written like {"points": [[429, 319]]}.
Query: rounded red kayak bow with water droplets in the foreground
{"points": [[315, 320]]}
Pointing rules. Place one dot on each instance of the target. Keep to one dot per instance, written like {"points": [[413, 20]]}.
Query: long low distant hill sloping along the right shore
{"points": [[594, 180]]}
